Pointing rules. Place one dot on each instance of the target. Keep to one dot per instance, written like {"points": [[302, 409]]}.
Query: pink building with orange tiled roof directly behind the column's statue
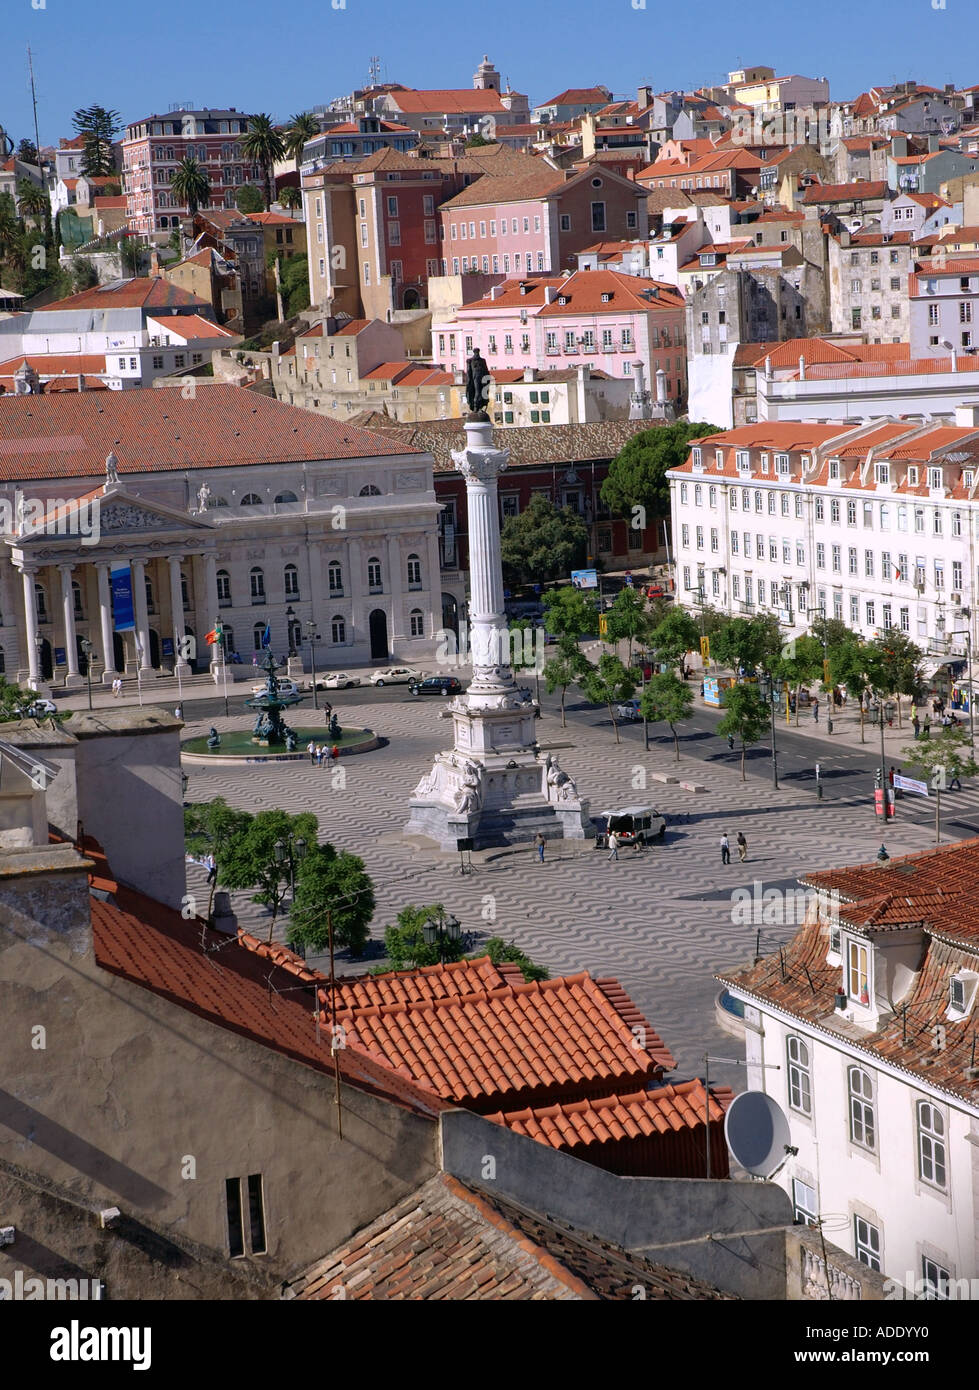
{"points": [[599, 318]]}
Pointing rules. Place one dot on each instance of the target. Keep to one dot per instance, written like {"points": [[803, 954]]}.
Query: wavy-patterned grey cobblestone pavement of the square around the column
{"points": [[661, 921]]}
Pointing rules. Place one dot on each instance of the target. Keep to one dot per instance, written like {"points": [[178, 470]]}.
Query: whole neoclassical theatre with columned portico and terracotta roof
{"points": [[226, 507]]}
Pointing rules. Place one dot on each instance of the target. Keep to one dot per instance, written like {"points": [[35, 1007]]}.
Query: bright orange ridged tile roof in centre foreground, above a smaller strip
{"points": [[511, 1046]]}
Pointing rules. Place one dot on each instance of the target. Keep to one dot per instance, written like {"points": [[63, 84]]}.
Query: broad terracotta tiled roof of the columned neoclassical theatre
{"points": [[158, 432]]}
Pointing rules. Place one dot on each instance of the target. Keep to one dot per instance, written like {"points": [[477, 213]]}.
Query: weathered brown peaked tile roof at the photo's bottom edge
{"points": [[453, 1242]]}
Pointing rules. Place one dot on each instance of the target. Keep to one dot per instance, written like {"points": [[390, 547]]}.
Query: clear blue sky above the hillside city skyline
{"points": [[261, 56]]}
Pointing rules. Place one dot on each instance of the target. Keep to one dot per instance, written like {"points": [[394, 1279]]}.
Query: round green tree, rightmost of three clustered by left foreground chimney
{"points": [[332, 882]]}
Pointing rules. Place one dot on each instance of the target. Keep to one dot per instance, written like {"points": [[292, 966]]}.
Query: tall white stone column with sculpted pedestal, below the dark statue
{"points": [[494, 786]]}
